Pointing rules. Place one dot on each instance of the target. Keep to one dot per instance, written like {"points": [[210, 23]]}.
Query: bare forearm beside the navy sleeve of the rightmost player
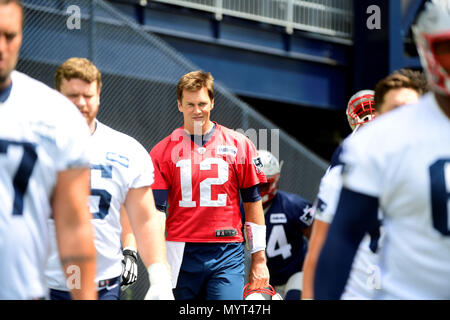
{"points": [[318, 236]]}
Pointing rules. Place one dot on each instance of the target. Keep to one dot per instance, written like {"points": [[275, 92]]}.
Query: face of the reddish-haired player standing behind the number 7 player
{"points": [[85, 95]]}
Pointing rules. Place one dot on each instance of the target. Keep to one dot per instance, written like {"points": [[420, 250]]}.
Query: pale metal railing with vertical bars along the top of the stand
{"points": [[330, 17]]}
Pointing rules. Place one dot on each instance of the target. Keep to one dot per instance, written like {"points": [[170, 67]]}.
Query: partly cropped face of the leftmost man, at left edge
{"points": [[10, 40]]}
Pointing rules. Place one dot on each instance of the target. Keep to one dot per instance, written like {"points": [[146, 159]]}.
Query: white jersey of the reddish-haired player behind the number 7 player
{"points": [[118, 163]]}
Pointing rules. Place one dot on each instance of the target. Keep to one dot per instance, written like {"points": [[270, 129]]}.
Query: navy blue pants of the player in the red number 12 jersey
{"points": [[211, 271]]}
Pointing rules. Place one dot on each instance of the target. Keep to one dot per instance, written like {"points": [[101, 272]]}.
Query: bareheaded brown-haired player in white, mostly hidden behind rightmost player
{"points": [[401, 87]]}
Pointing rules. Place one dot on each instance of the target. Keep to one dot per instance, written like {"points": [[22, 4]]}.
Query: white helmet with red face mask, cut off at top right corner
{"points": [[432, 26]]}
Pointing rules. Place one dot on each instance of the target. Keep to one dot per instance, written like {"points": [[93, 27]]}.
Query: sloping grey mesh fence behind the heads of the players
{"points": [[140, 73]]}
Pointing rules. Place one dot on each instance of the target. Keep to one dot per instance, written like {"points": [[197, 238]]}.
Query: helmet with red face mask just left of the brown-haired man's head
{"points": [[361, 108]]}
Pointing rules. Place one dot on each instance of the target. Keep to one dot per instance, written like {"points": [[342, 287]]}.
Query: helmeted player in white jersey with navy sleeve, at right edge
{"points": [[400, 163]]}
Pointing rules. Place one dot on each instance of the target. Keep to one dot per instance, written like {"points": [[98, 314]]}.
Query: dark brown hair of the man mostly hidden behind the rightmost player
{"points": [[403, 78]]}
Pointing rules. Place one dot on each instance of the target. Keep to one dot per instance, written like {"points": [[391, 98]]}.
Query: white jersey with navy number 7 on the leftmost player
{"points": [[41, 133]]}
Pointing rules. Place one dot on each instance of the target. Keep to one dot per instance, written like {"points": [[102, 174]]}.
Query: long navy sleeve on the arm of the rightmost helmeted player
{"points": [[355, 215]]}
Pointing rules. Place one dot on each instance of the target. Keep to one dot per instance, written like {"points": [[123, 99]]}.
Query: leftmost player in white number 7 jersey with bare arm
{"points": [[43, 171]]}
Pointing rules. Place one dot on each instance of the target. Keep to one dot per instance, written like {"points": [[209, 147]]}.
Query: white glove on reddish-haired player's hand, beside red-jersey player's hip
{"points": [[160, 283]]}
